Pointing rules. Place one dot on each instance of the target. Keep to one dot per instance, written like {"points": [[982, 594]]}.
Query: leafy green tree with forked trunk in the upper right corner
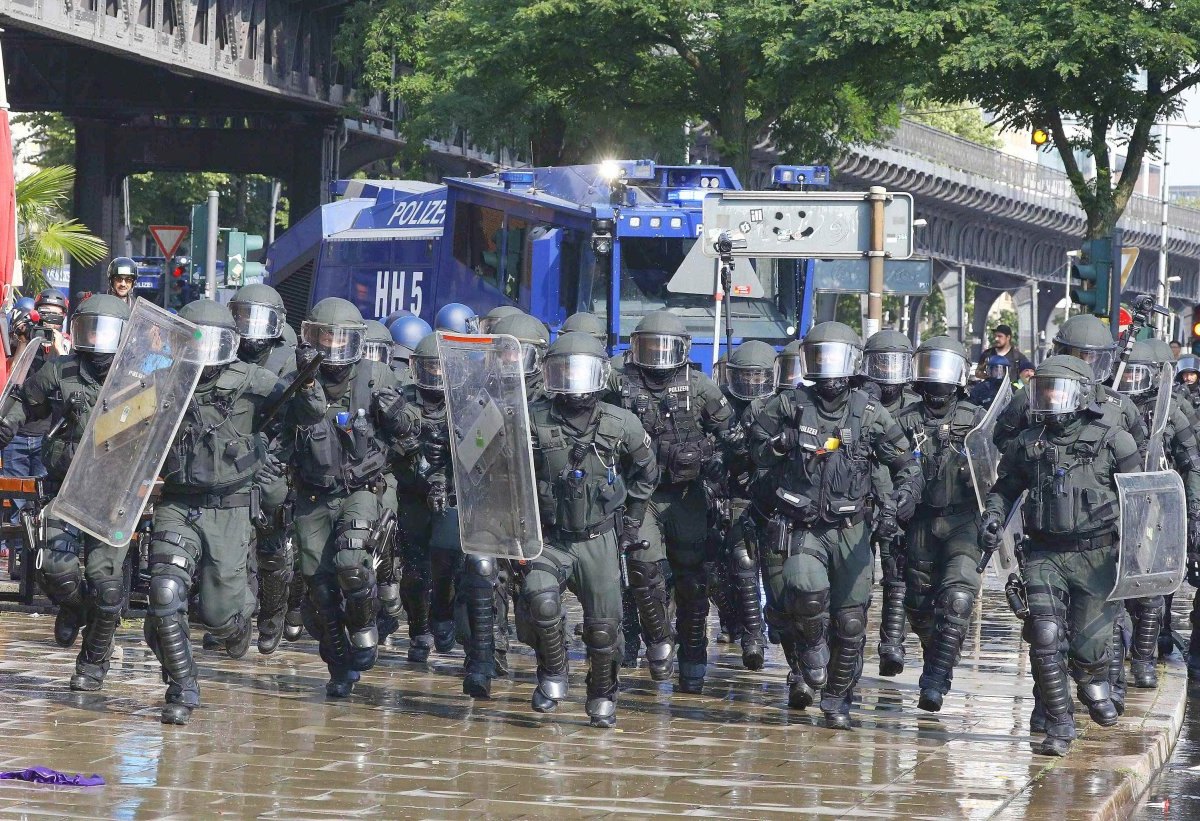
{"points": [[1084, 70]]}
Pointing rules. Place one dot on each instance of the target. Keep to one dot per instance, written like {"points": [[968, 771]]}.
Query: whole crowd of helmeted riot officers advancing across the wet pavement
{"points": [[769, 493]]}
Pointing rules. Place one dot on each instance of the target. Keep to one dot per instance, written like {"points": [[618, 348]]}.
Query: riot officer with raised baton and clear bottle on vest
{"points": [[345, 421]]}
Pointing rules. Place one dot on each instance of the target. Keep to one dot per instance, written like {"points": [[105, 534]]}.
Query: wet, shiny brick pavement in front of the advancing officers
{"points": [[268, 744]]}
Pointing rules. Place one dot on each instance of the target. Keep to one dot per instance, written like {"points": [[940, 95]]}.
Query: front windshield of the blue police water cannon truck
{"points": [[650, 283]]}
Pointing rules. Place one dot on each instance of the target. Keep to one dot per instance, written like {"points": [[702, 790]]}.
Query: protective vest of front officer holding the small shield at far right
{"points": [[1071, 494]]}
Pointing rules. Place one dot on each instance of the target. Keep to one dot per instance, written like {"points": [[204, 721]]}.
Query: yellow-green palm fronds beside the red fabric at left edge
{"points": [[46, 237]]}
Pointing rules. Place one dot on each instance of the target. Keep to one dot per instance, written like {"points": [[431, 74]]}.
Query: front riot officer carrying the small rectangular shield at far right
{"points": [[1067, 462]]}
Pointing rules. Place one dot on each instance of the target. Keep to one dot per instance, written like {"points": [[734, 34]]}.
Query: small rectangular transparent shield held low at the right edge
{"points": [[1154, 535]]}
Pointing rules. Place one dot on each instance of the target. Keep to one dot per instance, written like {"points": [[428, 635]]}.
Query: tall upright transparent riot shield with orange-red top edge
{"points": [[490, 446]]}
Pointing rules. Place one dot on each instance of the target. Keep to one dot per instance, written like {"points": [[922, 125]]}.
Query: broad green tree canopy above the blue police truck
{"points": [[577, 81]]}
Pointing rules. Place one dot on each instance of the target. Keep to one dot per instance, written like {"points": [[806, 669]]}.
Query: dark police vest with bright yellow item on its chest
{"points": [[831, 466]]}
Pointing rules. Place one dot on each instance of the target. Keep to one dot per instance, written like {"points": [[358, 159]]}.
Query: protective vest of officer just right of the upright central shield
{"points": [[579, 476]]}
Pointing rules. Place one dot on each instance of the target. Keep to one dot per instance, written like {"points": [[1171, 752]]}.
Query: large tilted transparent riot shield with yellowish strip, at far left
{"points": [[137, 415]]}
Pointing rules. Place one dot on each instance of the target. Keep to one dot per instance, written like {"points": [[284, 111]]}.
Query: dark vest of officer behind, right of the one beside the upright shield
{"points": [[673, 420]]}
